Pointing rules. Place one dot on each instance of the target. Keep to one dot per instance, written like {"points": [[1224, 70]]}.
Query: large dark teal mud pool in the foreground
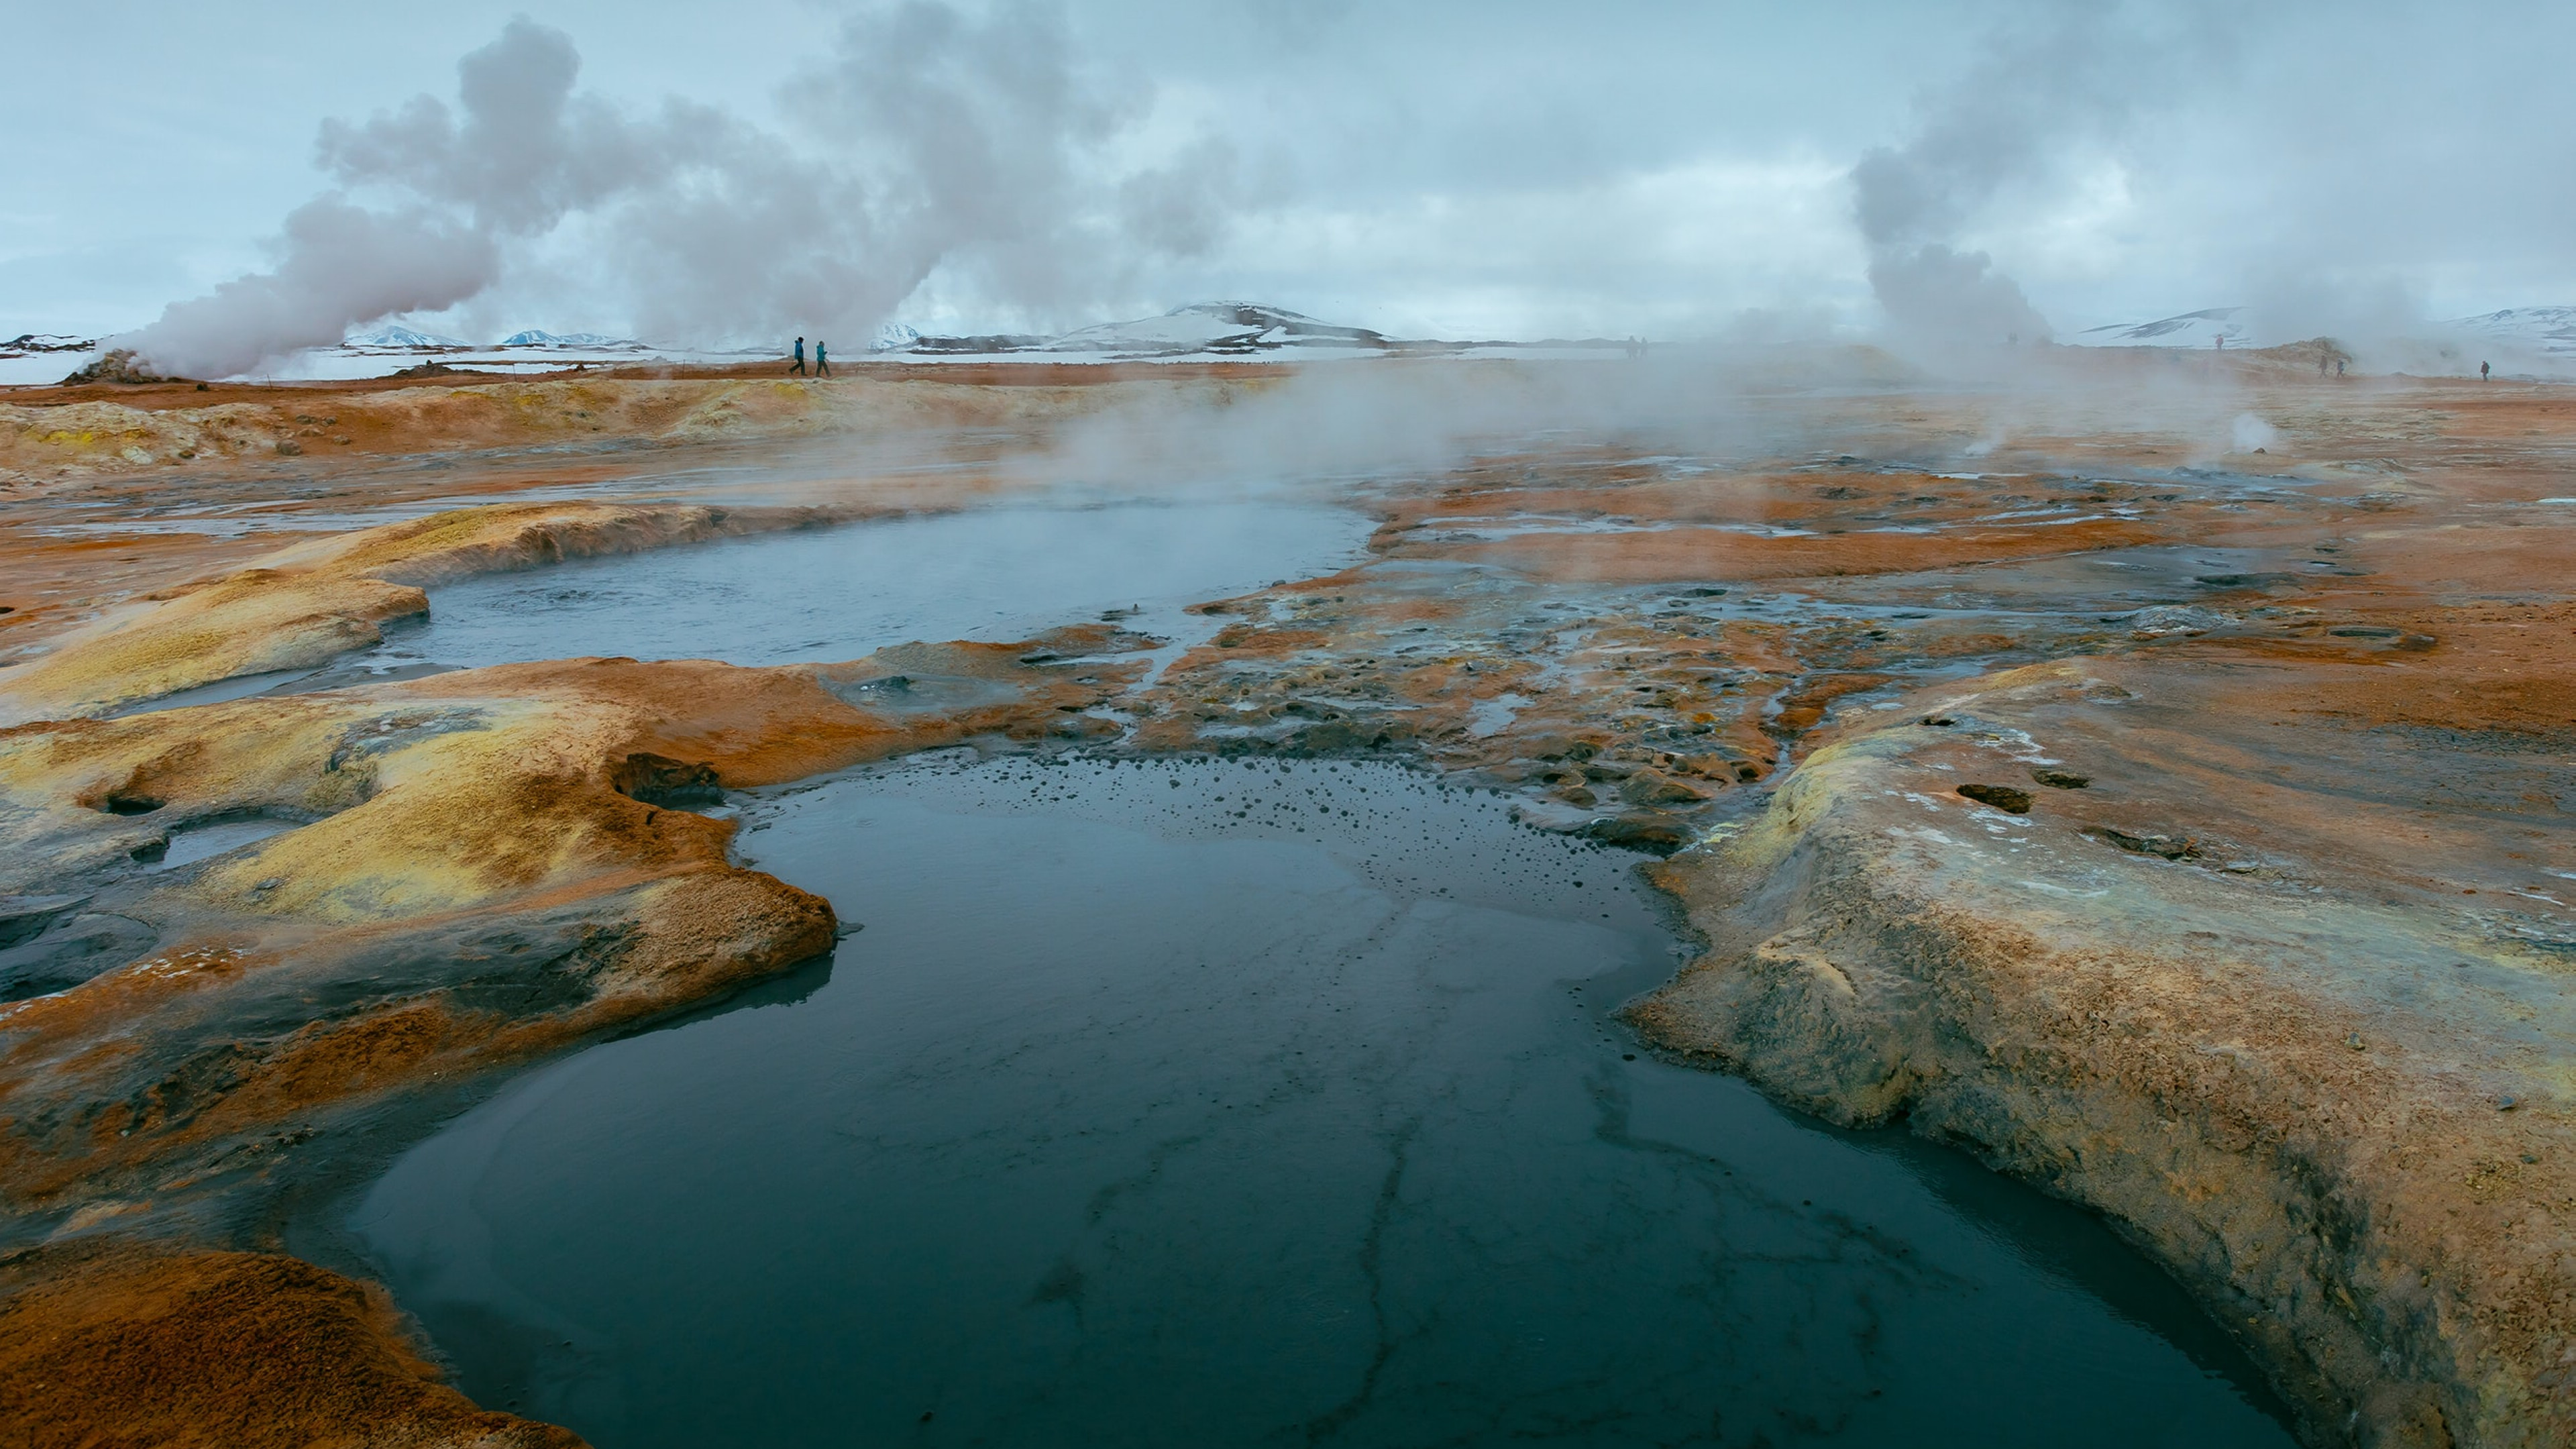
{"points": [[1212, 1102]]}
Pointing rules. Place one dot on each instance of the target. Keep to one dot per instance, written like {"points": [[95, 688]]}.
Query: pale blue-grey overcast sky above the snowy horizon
{"points": [[1426, 169]]}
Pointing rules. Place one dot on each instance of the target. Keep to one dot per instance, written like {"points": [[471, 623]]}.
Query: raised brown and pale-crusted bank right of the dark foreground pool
{"points": [[2281, 1082]]}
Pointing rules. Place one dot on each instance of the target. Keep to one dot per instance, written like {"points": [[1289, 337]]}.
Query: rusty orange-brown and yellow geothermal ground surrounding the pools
{"points": [[2175, 826]]}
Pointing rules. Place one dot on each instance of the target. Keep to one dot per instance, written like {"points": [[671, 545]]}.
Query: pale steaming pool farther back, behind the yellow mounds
{"points": [[833, 594]]}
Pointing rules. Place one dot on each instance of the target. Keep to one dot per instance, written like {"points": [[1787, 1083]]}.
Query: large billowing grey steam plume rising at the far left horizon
{"points": [[934, 138]]}
